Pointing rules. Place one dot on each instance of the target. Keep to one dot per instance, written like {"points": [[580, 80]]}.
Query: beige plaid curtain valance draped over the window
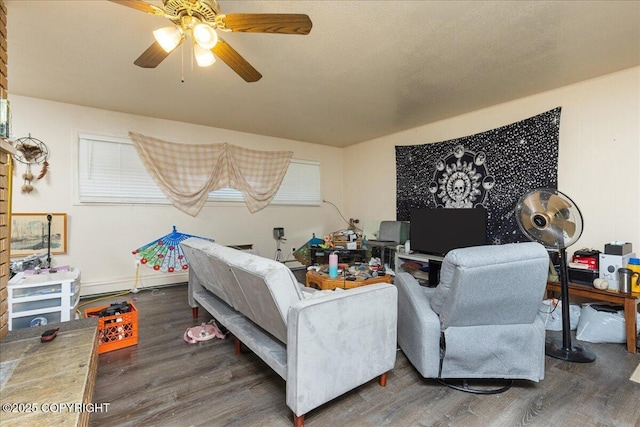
{"points": [[187, 173]]}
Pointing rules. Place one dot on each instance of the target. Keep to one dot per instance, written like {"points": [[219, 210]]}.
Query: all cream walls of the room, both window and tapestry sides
{"points": [[599, 169]]}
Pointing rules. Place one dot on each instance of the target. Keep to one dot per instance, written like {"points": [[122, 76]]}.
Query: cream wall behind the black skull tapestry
{"points": [[599, 155]]}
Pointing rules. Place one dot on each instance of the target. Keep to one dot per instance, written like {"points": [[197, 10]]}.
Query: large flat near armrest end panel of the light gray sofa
{"points": [[338, 342]]}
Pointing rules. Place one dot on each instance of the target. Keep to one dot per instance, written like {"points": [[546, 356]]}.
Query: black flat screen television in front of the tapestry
{"points": [[436, 231]]}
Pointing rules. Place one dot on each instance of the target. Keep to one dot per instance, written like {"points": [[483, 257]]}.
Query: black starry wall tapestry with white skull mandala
{"points": [[491, 169]]}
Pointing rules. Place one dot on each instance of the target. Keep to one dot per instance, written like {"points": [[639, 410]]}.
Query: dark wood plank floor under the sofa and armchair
{"points": [[163, 381]]}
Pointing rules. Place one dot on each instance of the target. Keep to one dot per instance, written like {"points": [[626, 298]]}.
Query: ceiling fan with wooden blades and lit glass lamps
{"points": [[199, 20]]}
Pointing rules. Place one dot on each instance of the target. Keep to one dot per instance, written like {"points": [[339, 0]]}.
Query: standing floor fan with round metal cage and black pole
{"points": [[551, 218]]}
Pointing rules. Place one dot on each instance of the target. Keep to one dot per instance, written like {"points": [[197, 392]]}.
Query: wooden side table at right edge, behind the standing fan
{"points": [[628, 300]]}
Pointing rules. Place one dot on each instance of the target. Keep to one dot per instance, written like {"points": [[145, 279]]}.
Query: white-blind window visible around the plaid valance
{"points": [[110, 171]]}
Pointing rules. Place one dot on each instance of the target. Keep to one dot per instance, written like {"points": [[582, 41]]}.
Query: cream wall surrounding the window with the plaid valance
{"points": [[101, 238]]}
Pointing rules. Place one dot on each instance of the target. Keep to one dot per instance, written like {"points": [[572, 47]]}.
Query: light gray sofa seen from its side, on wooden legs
{"points": [[322, 343]]}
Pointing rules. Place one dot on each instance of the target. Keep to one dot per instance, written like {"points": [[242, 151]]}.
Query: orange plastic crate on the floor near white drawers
{"points": [[117, 331]]}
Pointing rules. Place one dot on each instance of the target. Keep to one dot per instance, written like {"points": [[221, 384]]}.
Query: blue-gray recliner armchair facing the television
{"points": [[482, 320]]}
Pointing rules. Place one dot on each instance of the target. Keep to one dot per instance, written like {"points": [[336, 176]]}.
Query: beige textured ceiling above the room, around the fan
{"points": [[367, 69]]}
